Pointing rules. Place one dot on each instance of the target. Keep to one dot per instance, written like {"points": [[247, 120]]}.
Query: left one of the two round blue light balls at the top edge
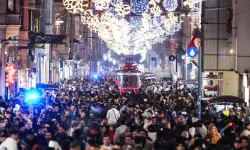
{"points": [[139, 6]]}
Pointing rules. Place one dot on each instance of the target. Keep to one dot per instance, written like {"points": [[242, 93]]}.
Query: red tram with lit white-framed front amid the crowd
{"points": [[128, 79]]}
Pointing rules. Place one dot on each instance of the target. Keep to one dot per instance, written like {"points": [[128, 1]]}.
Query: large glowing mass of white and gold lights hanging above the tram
{"points": [[135, 35]]}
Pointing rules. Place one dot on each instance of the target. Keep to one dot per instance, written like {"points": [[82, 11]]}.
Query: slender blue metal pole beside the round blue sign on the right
{"points": [[199, 83]]}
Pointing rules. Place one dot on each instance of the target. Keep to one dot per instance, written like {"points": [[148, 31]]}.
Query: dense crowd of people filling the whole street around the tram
{"points": [[98, 117]]}
